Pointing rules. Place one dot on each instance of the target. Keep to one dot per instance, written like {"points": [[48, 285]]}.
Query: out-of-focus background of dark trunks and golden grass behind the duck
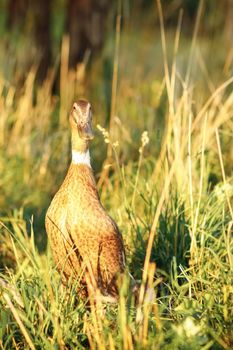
{"points": [[110, 52]]}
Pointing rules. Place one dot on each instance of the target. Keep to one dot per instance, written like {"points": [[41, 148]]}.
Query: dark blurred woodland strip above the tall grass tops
{"points": [[36, 29]]}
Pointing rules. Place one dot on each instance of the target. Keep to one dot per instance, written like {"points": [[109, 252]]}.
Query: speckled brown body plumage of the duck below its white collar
{"points": [[83, 237]]}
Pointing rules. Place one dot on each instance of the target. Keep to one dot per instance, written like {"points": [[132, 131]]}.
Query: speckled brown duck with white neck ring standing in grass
{"points": [[85, 241]]}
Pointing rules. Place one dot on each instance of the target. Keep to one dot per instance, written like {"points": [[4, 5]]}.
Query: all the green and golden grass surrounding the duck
{"points": [[169, 190]]}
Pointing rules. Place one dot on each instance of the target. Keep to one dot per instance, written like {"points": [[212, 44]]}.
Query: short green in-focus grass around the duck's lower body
{"points": [[186, 305]]}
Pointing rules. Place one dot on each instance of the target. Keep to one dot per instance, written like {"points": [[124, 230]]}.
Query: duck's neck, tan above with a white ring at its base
{"points": [[80, 150]]}
